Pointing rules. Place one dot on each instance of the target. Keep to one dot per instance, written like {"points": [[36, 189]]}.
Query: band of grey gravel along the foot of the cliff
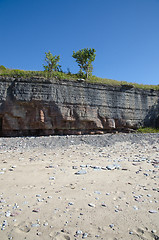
{"points": [[49, 142]]}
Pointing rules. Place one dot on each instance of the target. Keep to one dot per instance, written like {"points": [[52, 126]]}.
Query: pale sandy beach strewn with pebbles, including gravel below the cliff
{"points": [[80, 187]]}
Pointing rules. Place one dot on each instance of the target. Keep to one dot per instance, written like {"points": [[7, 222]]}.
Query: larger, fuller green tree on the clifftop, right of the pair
{"points": [[84, 58]]}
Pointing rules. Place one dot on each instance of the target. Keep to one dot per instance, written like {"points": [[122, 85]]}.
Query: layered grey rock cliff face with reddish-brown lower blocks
{"points": [[34, 106]]}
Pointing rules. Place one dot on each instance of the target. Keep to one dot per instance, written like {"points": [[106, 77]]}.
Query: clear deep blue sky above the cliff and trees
{"points": [[124, 33]]}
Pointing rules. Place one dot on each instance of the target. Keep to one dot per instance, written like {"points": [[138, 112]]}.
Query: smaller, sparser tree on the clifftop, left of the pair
{"points": [[52, 62]]}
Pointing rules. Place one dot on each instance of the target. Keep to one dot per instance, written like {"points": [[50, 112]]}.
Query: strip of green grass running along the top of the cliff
{"points": [[16, 73]]}
